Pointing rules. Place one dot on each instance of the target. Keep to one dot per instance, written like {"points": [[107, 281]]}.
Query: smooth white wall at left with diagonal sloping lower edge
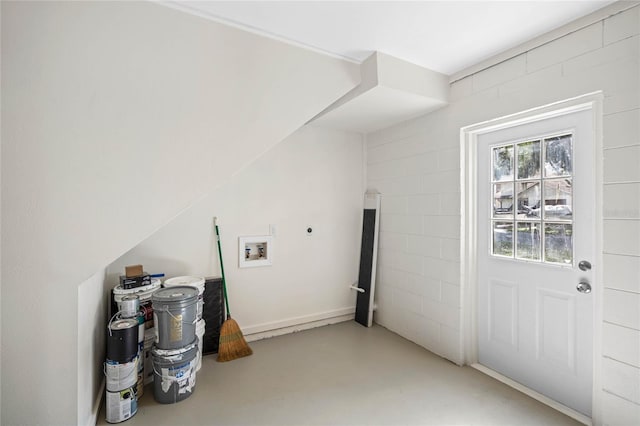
{"points": [[116, 117]]}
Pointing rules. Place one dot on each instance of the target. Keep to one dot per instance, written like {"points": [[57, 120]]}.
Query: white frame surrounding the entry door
{"points": [[468, 156]]}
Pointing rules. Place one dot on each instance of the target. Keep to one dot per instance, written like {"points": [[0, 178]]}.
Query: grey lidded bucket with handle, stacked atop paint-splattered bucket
{"points": [[174, 311]]}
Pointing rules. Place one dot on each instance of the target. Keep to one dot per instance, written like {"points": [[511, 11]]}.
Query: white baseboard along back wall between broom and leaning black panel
{"points": [[292, 325]]}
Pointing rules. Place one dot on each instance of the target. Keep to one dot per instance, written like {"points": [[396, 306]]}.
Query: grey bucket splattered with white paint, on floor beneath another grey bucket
{"points": [[174, 373]]}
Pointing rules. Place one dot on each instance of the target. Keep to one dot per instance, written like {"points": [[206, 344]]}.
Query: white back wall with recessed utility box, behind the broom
{"points": [[314, 177]]}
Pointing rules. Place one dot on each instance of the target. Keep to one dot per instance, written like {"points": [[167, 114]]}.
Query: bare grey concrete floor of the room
{"points": [[344, 374]]}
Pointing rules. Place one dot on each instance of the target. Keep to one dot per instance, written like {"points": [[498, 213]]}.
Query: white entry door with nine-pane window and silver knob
{"points": [[535, 235]]}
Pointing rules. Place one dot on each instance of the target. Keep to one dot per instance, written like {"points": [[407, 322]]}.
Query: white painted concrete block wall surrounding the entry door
{"points": [[416, 167]]}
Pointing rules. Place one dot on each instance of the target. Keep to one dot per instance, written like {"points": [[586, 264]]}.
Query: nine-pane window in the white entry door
{"points": [[532, 190]]}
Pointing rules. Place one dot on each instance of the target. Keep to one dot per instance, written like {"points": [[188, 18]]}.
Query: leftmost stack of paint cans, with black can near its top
{"points": [[121, 366]]}
